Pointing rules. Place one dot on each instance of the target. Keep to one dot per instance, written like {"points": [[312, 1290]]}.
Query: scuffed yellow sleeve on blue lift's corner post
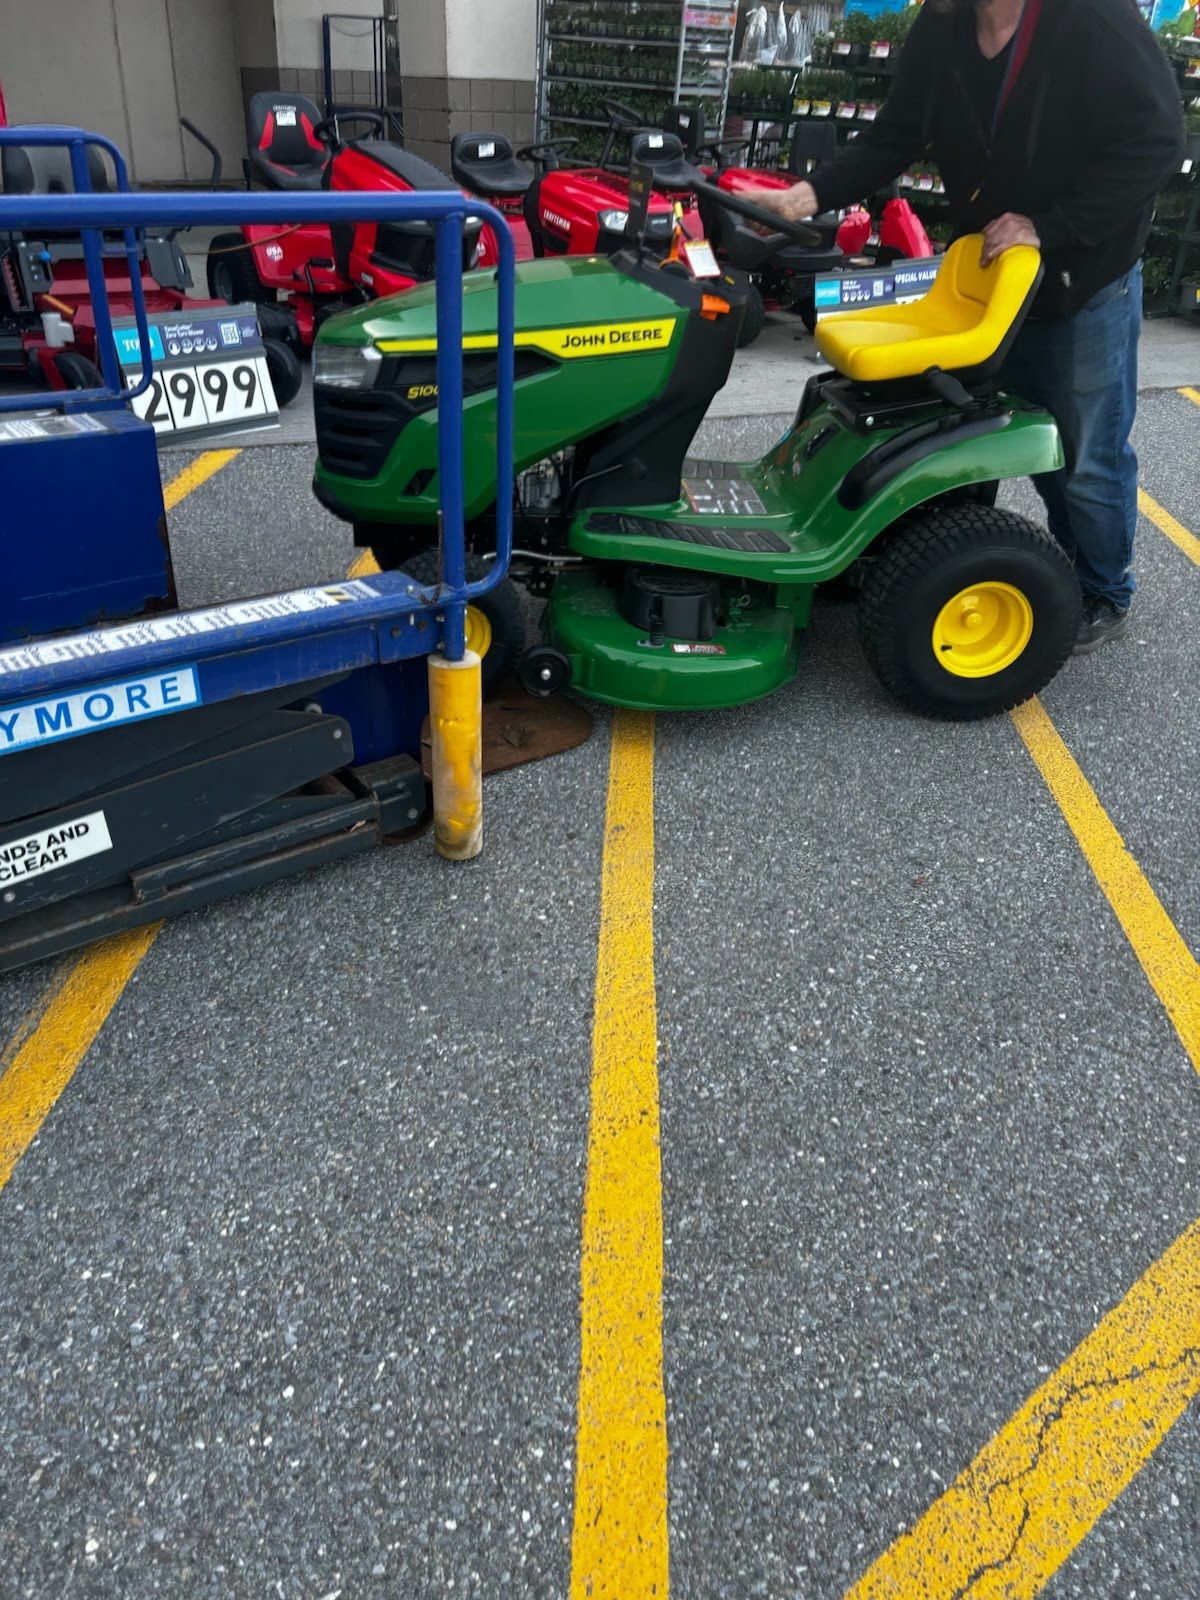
{"points": [[457, 754]]}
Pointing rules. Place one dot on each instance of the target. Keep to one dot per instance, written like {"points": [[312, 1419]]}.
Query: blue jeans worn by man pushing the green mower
{"points": [[1084, 370]]}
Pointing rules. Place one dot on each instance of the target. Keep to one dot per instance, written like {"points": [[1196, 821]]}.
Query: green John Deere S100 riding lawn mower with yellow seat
{"points": [[678, 583]]}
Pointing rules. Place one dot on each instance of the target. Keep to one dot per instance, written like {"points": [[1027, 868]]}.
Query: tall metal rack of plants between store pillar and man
{"points": [[650, 54]]}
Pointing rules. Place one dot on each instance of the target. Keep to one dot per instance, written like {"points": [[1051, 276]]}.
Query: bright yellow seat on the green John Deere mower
{"points": [[964, 326]]}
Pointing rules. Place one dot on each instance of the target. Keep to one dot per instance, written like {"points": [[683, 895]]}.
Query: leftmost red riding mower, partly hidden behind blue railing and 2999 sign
{"points": [[47, 318]]}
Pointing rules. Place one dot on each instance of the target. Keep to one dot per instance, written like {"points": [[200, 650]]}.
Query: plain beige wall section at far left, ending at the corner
{"points": [[129, 70]]}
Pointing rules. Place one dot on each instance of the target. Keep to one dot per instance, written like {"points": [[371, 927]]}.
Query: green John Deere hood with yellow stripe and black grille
{"points": [[594, 346]]}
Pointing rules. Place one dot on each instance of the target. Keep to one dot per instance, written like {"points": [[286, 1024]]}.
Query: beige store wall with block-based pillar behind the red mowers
{"points": [[132, 68]]}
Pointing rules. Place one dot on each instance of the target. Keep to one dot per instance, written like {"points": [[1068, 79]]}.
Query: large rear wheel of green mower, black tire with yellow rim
{"points": [[967, 612]]}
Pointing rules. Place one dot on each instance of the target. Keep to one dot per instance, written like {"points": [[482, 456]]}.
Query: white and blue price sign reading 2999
{"points": [[210, 372]]}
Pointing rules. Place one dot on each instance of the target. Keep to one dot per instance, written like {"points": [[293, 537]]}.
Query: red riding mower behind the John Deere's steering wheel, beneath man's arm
{"points": [[785, 274]]}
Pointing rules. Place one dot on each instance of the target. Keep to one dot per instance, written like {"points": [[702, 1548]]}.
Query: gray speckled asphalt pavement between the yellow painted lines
{"points": [[290, 1276]]}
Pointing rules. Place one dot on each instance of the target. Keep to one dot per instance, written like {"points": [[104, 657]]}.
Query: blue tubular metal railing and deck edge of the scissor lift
{"points": [[358, 633]]}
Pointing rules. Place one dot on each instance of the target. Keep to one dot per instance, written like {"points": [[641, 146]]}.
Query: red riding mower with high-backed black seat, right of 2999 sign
{"points": [[300, 276]]}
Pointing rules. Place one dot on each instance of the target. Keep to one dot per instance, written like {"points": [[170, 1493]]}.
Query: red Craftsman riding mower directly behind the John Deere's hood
{"points": [[562, 210]]}
